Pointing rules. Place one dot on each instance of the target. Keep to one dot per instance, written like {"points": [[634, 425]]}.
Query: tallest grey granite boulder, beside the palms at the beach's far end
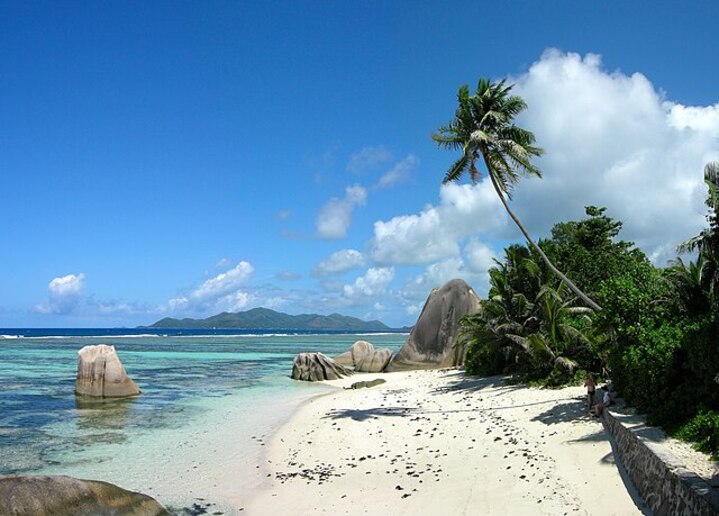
{"points": [[435, 341]]}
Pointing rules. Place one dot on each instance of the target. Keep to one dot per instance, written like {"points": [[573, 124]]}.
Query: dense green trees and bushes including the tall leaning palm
{"points": [[610, 311]]}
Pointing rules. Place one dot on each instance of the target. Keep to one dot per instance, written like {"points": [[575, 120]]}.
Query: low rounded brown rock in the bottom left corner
{"points": [[67, 496]]}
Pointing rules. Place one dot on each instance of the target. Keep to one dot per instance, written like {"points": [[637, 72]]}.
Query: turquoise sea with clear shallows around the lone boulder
{"points": [[199, 390]]}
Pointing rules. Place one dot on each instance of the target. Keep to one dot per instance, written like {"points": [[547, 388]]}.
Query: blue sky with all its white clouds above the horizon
{"points": [[185, 158]]}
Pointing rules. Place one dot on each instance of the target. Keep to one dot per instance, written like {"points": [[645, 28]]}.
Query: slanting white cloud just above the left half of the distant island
{"points": [[223, 292]]}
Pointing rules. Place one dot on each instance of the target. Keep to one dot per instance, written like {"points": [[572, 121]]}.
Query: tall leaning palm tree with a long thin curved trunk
{"points": [[483, 127]]}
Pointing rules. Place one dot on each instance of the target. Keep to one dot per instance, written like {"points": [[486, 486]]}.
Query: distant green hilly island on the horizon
{"points": [[266, 319]]}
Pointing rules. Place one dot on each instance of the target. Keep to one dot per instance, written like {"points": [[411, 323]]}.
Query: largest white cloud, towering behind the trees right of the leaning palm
{"points": [[613, 140]]}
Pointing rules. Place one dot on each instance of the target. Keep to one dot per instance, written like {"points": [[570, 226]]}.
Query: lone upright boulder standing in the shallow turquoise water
{"points": [[101, 374]]}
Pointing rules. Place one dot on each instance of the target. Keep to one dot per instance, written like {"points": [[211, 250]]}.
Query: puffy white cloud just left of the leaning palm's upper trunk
{"points": [[437, 231]]}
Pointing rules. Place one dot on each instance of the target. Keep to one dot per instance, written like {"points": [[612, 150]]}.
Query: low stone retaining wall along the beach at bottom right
{"points": [[662, 481]]}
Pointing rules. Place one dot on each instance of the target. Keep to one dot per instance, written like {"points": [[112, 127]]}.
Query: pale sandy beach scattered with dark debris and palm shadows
{"points": [[436, 442]]}
